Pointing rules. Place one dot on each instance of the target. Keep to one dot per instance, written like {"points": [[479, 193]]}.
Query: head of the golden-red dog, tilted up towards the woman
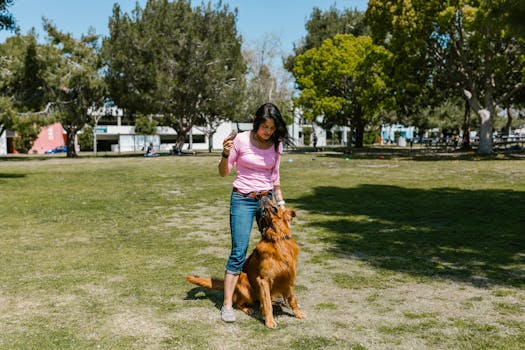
{"points": [[274, 223]]}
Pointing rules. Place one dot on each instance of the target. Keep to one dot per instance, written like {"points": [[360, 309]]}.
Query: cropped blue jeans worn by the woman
{"points": [[242, 213]]}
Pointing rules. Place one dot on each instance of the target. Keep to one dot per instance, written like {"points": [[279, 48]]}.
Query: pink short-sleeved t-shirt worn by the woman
{"points": [[257, 169]]}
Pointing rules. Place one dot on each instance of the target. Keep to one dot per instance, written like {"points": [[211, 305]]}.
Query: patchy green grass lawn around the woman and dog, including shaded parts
{"points": [[397, 252]]}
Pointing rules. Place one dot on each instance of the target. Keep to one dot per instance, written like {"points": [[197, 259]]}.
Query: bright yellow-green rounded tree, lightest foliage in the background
{"points": [[343, 81]]}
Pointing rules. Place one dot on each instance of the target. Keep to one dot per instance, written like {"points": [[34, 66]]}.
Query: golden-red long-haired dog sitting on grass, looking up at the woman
{"points": [[269, 271]]}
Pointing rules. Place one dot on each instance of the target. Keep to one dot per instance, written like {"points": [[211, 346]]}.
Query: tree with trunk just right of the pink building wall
{"points": [[75, 80]]}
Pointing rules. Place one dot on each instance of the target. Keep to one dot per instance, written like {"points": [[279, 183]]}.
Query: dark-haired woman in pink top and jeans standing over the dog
{"points": [[256, 155]]}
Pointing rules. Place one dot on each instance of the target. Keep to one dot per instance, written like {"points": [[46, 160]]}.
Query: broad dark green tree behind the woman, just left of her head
{"points": [[174, 61]]}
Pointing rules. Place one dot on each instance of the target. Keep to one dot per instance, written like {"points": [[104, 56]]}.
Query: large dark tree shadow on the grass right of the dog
{"points": [[477, 237]]}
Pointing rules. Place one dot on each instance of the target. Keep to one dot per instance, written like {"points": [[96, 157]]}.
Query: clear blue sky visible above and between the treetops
{"points": [[284, 18]]}
